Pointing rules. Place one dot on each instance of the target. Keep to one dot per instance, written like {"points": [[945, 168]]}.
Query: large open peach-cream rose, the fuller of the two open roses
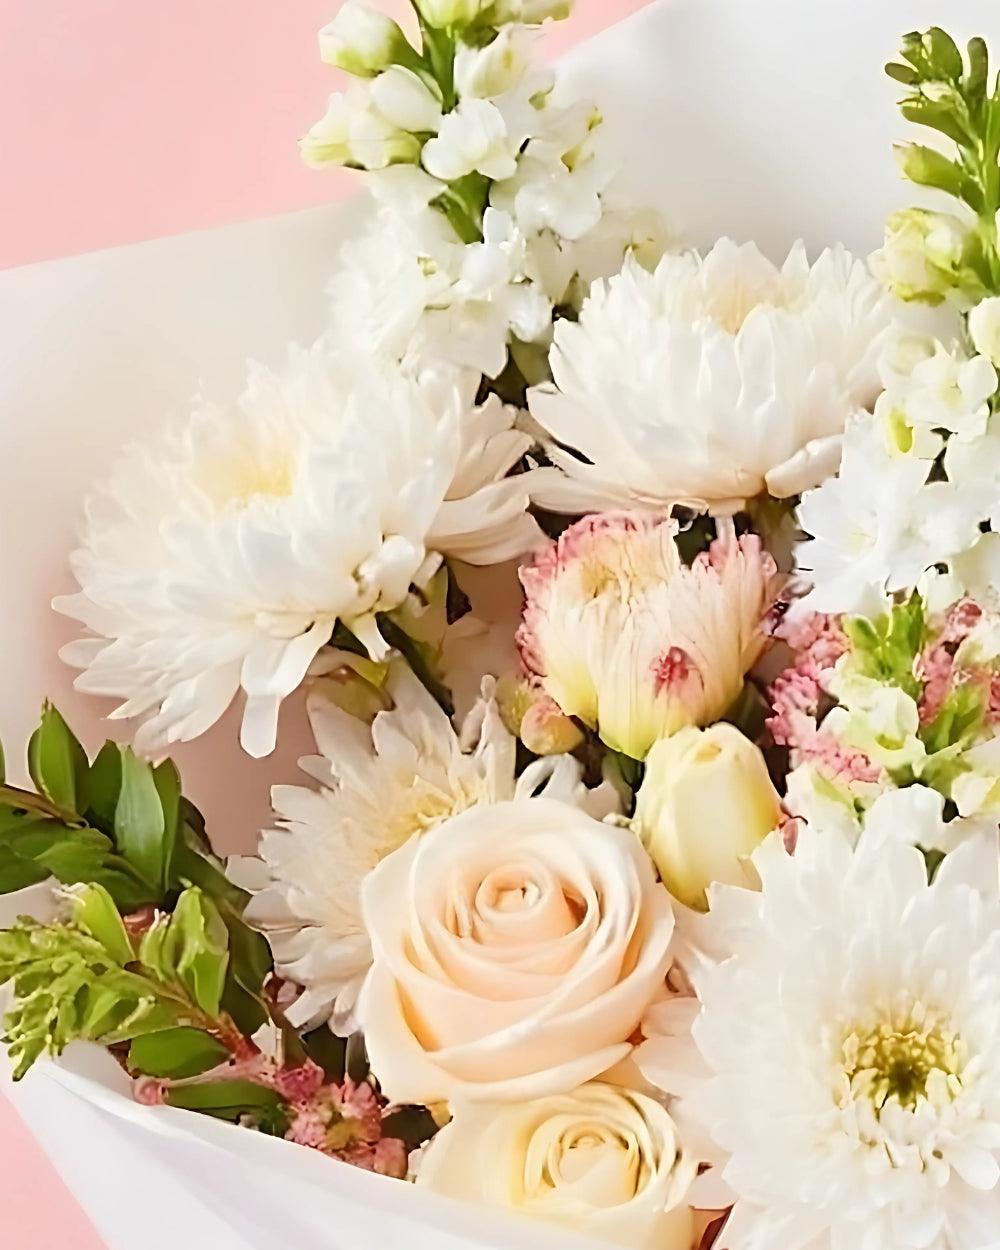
{"points": [[516, 951]]}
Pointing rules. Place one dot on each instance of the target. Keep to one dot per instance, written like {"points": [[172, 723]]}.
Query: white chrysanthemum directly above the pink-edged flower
{"points": [[711, 381]]}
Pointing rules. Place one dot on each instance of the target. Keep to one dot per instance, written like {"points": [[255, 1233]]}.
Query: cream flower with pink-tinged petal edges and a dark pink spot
{"points": [[627, 638]]}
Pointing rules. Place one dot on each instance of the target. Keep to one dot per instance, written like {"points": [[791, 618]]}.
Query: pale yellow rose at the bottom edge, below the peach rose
{"points": [[602, 1161]]}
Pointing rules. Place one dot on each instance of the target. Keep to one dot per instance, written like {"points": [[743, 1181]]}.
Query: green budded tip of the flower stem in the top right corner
{"points": [[958, 97]]}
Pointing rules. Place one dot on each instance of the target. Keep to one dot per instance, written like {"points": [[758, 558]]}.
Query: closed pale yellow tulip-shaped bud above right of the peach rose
{"points": [[706, 804]]}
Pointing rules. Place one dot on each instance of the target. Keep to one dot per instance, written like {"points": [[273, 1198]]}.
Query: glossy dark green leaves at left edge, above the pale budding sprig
{"points": [[122, 824]]}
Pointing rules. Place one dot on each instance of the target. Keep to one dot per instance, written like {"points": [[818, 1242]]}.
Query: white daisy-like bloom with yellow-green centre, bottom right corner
{"points": [[847, 1053]]}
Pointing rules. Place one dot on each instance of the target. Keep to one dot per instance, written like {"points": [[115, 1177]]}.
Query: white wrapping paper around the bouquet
{"points": [[764, 119]]}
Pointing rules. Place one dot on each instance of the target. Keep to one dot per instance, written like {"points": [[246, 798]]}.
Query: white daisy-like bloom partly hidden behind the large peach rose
{"points": [[379, 787]]}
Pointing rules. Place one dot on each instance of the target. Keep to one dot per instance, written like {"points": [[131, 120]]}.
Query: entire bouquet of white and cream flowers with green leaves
{"points": [[643, 882]]}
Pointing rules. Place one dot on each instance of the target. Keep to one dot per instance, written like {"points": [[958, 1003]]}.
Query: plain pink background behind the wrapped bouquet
{"points": [[123, 122]]}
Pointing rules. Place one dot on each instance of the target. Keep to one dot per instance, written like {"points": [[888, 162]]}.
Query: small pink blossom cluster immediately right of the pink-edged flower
{"points": [[797, 697]]}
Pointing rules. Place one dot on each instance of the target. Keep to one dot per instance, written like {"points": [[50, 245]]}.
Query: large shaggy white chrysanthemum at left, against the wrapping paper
{"points": [[221, 558]]}
